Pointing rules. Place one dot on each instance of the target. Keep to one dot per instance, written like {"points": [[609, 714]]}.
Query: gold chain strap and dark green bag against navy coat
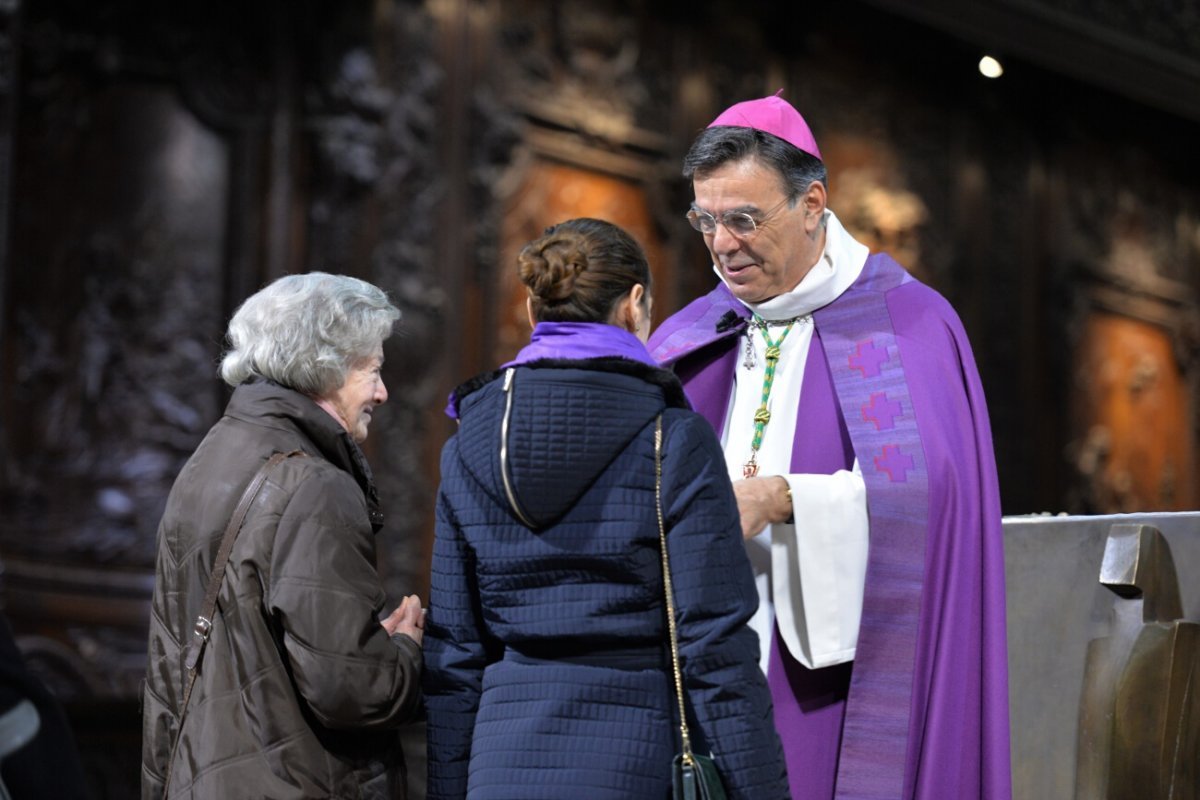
{"points": [[693, 778]]}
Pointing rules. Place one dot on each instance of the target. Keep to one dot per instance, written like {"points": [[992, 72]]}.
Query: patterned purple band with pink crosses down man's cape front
{"points": [[865, 362]]}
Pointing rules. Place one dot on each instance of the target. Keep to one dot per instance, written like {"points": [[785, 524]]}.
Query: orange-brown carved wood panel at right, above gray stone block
{"points": [[1135, 333]]}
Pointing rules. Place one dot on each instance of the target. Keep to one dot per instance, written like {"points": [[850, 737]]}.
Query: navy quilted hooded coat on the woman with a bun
{"points": [[548, 660]]}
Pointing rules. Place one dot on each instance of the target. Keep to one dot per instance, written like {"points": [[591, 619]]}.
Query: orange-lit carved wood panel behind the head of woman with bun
{"points": [[572, 97]]}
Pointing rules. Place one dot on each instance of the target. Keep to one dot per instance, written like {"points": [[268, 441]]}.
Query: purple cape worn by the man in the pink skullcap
{"points": [[927, 713]]}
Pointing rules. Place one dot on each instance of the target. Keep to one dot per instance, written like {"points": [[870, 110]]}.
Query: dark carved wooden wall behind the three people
{"points": [[160, 163]]}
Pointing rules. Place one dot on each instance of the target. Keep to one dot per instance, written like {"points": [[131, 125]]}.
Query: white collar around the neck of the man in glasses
{"points": [[839, 267]]}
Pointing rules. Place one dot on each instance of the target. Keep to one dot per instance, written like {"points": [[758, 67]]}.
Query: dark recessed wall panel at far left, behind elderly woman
{"points": [[115, 302]]}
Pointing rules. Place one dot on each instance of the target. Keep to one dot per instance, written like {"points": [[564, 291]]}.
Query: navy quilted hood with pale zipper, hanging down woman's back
{"points": [[538, 436]]}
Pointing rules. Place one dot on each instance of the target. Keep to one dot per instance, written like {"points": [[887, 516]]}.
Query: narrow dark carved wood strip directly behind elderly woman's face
{"points": [[375, 214]]}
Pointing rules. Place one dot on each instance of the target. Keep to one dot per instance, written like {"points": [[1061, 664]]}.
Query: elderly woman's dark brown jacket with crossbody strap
{"points": [[302, 693]]}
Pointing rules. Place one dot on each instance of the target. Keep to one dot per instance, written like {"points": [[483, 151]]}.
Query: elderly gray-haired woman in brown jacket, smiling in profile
{"points": [[304, 683]]}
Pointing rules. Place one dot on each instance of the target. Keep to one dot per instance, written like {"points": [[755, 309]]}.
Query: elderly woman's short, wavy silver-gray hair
{"points": [[307, 332]]}
